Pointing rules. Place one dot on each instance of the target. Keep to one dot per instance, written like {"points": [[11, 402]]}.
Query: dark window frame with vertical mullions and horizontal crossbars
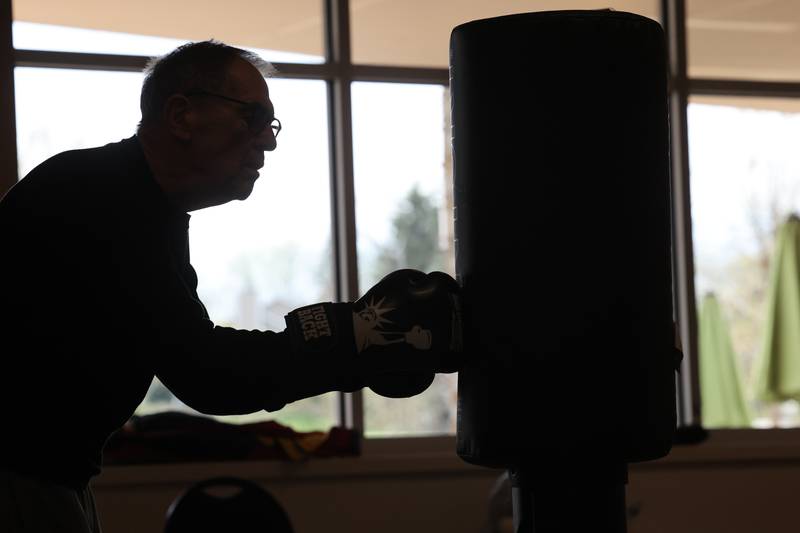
{"points": [[339, 72]]}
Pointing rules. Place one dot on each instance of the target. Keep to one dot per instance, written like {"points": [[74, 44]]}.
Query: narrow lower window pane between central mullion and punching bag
{"points": [[403, 195]]}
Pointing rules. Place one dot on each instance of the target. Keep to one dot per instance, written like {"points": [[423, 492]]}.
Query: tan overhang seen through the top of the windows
{"points": [[742, 39]]}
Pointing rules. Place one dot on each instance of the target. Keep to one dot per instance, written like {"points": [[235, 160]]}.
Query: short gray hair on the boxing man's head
{"points": [[196, 65]]}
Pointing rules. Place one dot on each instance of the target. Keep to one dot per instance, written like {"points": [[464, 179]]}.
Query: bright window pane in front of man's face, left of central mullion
{"points": [[257, 260]]}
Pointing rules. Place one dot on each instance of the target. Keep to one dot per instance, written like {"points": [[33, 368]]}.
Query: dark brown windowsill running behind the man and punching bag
{"points": [[436, 456]]}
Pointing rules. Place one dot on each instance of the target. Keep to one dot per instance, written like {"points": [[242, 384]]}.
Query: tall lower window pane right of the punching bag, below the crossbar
{"points": [[745, 177]]}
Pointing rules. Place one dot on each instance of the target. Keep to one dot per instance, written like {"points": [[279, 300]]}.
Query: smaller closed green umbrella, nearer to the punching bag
{"points": [[723, 403]]}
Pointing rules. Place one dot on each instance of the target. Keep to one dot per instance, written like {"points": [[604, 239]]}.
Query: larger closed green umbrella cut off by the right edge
{"points": [[778, 377]]}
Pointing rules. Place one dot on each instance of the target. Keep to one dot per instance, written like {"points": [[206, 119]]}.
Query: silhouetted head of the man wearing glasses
{"points": [[206, 122]]}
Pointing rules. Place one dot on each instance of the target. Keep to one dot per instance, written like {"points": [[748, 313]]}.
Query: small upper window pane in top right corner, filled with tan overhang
{"points": [[743, 40]]}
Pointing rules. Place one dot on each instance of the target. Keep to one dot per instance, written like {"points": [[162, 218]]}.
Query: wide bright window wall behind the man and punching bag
{"points": [[396, 89]]}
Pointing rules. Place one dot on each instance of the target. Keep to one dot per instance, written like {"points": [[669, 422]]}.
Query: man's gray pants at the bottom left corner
{"points": [[32, 506]]}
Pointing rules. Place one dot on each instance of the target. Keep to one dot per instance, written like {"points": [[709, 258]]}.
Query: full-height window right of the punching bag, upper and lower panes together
{"points": [[743, 122]]}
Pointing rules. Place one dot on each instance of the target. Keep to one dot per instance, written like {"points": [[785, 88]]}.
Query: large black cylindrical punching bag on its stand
{"points": [[562, 208]]}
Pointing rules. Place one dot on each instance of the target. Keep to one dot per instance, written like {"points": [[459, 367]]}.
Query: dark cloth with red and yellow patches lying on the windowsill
{"points": [[172, 436]]}
